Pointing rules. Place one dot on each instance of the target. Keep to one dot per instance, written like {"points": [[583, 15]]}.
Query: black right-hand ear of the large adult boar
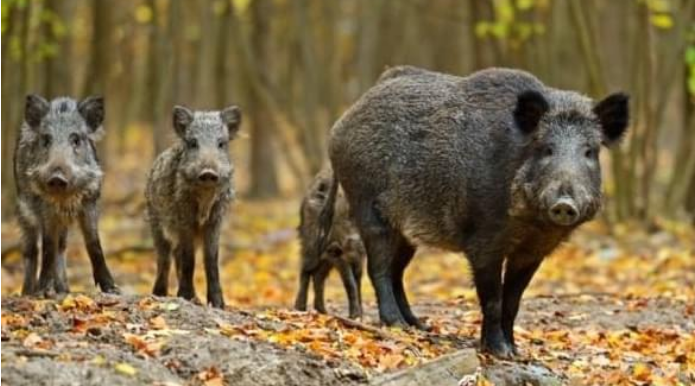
{"points": [[613, 113]]}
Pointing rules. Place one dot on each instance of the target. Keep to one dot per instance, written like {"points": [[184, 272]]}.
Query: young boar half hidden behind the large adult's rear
{"points": [[342, 250]]}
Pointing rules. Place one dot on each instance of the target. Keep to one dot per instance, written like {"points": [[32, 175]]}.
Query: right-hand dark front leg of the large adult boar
{"points": [[517, 275]]}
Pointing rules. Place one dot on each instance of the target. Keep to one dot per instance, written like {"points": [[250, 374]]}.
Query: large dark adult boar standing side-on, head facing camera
{"points": [[496, 165]]}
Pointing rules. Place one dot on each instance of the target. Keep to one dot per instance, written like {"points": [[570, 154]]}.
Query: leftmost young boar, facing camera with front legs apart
{"points": [[59, 181]]}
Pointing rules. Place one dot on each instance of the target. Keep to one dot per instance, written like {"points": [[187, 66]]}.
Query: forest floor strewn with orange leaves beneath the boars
{"points": [[611, 307]]}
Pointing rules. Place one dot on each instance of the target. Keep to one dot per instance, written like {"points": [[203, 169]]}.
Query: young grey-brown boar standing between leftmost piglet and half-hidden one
{"points": [[188, 191]]}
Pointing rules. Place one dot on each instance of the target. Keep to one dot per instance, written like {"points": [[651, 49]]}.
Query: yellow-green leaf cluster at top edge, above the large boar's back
{"points": [[508, 24]]}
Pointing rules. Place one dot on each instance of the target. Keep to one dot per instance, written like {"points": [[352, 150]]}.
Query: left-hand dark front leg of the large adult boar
{"points": [[487, 275]]}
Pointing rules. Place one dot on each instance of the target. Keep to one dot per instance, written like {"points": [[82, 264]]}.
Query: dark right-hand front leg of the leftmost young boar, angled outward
{"points": [[90, 232]]}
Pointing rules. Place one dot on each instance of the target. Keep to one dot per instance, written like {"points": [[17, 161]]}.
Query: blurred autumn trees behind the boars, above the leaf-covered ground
{"points": [[294, 66]]}
